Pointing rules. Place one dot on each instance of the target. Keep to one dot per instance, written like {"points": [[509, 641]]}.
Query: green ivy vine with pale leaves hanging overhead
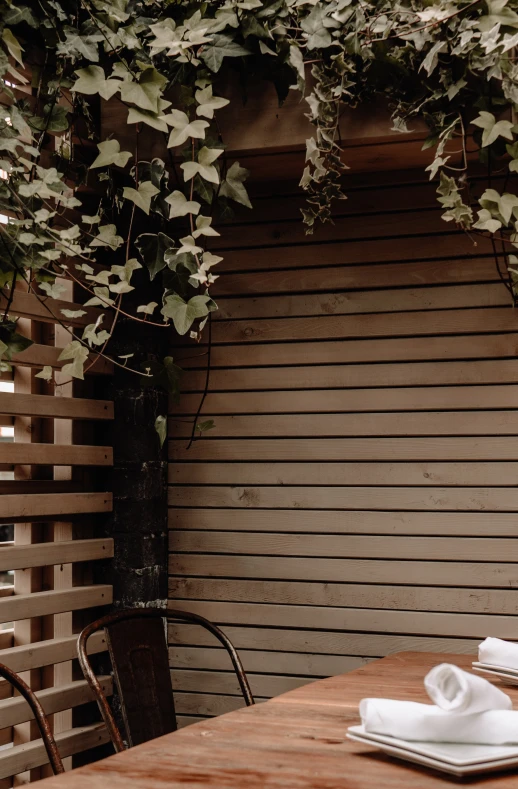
{"points": [[91, 211]]}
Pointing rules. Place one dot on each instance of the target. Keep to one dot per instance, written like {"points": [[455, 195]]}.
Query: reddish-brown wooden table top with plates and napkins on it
{"points": [[294, 741]]}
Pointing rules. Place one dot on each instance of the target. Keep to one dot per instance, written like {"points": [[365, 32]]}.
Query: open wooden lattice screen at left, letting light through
{"points": [[48, 489]]}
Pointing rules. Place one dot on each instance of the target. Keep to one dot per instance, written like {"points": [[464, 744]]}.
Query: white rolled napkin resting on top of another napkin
{"points": [[454, 690]]}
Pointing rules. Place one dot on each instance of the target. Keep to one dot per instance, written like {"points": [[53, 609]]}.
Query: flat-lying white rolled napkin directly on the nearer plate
{"points": [[409, 720]]}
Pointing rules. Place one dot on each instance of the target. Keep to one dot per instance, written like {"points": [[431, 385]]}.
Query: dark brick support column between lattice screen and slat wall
{"points": [[139, 521]]}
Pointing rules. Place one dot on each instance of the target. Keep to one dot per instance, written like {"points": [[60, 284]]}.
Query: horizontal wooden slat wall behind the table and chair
{"points": [[357, 495]]}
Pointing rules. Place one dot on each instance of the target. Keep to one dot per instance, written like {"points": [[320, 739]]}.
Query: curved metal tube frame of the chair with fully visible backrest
{"points": [[144, 613]]}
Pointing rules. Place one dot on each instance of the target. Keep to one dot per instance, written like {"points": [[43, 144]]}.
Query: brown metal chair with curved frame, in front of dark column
{"points": [[137, 645]]}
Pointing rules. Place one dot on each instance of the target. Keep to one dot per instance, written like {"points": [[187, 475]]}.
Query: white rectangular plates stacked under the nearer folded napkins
{"points": [[453, 758]]}
